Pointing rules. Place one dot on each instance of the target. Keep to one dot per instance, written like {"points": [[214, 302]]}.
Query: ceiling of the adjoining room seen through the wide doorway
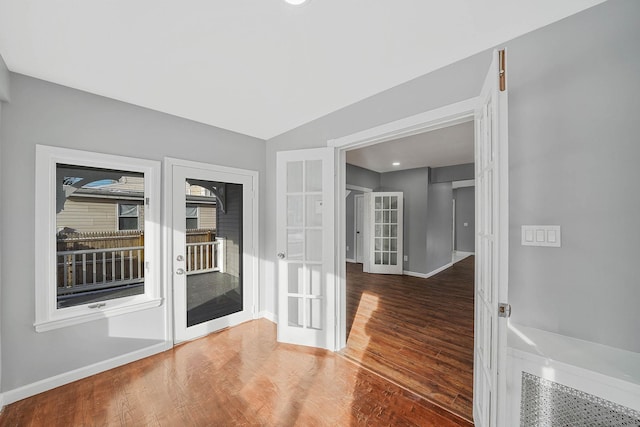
{"points": [[448, 146]]}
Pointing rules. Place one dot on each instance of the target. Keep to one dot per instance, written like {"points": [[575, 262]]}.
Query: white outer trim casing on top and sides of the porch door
{"points": [[250, 252]]}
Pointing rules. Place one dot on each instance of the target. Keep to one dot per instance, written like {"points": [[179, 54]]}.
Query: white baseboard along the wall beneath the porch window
{"points": [[32, 389]]}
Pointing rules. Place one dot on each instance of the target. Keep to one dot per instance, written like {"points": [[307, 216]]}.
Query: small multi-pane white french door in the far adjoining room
{"points": [[385, 232]]}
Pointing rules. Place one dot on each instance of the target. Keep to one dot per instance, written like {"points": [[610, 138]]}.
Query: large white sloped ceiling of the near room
{"points": [[258, 67]]}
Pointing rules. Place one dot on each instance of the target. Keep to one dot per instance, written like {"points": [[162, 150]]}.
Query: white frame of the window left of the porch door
{"points": [[48, 316]]}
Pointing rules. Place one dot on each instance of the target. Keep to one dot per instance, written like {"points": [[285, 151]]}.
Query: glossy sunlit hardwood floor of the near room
{"points": [[237, 377]]}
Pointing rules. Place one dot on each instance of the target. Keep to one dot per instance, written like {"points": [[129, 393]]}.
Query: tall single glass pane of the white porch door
{"points": [[213, 252]]}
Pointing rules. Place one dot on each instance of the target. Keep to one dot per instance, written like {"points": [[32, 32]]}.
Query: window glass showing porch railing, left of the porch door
{"points": [[99, 234]]}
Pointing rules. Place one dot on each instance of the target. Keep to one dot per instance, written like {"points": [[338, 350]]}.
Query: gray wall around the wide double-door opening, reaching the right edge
{"points": [[573, 107]]}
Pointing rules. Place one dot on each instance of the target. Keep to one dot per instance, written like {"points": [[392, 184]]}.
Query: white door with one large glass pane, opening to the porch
{"points": [[212, 233]]}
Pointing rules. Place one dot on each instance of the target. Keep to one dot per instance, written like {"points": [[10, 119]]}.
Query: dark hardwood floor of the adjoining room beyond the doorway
{"points": [[416, 332]]}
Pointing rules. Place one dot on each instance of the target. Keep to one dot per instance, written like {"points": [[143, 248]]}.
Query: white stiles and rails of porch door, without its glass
{"points": [[177, 172]]}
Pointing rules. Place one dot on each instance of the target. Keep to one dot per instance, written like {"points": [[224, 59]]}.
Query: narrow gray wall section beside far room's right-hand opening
{"points": [[439, 220]]}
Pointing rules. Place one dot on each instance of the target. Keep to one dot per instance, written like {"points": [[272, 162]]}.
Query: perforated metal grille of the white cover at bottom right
{"points": [[545, 403]]}
